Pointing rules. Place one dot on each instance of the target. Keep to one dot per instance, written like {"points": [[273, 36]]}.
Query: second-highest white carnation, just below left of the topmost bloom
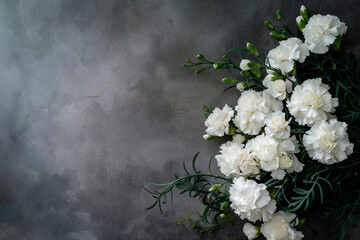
{"points": [[289, 51]]}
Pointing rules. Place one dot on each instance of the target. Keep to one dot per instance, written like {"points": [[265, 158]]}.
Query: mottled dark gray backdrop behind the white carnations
{"points": [[94, 104]]}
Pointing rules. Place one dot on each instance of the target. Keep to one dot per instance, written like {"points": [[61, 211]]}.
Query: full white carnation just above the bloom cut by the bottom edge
{"points": [[251, 200]]}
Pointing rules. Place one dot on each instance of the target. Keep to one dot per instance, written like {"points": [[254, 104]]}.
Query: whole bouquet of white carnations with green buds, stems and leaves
{"points": [[292, 140]]}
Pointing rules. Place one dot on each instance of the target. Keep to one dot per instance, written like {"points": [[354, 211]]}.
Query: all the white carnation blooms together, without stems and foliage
{"points": [[262, 139]]}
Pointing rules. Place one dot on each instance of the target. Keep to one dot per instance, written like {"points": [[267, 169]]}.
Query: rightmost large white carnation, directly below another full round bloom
{"points": [[328, 142]]}
